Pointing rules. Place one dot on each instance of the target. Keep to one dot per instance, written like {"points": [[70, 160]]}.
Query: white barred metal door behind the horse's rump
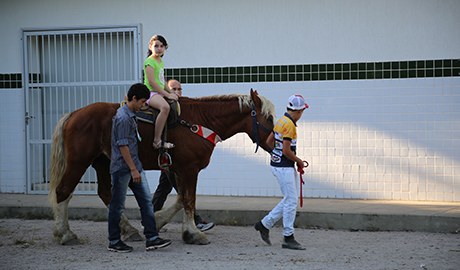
{"points": [[65, 70]]}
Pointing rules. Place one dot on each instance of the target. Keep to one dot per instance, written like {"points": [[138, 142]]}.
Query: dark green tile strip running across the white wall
{"points": [[293, 73]]}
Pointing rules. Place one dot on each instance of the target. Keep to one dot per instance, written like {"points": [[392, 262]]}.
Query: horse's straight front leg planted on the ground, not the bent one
{"points": [[190, 233]]}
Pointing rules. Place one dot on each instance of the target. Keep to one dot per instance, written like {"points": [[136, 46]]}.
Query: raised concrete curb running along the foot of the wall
{"points": [[339, 214]]}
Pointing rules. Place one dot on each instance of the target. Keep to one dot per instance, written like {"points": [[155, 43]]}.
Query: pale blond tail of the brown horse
{"points": [[58, 159]]}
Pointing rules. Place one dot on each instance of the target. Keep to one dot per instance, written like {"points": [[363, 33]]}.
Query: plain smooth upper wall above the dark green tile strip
{"points": [[258, 32]]}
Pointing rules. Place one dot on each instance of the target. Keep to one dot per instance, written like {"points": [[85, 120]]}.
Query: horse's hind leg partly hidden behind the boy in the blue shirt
{"points": [[102, 167]]}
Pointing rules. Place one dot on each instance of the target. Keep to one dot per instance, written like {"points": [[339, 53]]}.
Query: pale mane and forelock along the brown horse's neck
{"points": [[267, 110]]}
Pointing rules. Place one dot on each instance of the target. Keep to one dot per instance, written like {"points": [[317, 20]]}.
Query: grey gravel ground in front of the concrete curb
{"points": [[28, 244]]}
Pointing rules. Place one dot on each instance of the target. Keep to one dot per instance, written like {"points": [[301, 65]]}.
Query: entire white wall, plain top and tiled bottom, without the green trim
{"points": [[375, 139]]}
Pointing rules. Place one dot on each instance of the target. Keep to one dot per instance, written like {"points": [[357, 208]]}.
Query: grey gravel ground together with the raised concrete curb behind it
{"points": [[337, 234]]}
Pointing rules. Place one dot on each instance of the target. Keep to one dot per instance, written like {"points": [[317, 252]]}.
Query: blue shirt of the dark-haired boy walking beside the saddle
{"points": [[124, 132]]}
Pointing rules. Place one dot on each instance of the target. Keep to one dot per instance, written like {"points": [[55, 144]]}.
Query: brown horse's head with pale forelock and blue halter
{"points": [[262, 113]]}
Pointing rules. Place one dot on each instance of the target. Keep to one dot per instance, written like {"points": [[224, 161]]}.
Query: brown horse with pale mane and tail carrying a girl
{"points": [[82, 139]]}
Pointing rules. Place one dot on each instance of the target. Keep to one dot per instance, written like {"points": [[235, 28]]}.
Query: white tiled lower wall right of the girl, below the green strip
{"points": [[377, 139]]}
